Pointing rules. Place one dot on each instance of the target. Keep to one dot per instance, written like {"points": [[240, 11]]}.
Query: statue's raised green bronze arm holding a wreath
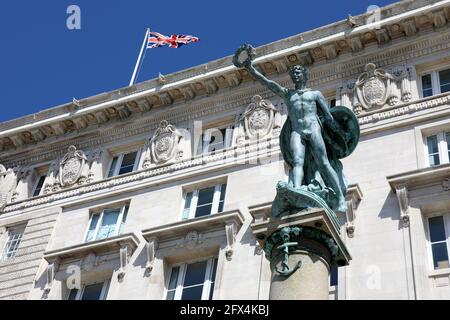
{"points": [[247, 64]]}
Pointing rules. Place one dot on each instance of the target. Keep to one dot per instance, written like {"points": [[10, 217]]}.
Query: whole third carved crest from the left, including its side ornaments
{"points": [[165, 146]]}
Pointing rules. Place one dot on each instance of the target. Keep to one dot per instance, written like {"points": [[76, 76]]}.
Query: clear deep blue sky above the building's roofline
{"points": [[44, 64]]}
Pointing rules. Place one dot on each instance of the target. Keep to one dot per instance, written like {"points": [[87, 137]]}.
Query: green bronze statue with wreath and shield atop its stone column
{"points": [[301, 236]]}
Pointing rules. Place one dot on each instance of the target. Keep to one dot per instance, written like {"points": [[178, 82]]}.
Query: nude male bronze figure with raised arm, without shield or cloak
{"points": [[302, 104]]}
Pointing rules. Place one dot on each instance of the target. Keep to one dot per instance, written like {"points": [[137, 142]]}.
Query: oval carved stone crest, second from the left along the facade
{"points": [[71, 166]]}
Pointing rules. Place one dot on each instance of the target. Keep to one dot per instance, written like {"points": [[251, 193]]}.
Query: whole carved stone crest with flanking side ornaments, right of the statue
{"points": [[377, 87]]}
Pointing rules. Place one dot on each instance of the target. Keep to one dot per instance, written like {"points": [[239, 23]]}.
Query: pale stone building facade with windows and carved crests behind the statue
{"points": [[150, 191]]}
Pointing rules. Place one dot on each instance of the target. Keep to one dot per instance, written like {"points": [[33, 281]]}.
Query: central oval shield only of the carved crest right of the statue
{"points": [[373, 87]]}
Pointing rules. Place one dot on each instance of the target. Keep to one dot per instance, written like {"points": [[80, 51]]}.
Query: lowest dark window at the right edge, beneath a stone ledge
{"points": [[438, 238]]}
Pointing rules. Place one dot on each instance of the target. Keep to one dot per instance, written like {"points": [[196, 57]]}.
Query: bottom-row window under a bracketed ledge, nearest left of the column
{"points": [[193, 281]]}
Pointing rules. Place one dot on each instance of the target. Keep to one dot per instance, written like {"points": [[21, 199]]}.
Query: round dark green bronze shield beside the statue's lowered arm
{"points": [[345, 135]]}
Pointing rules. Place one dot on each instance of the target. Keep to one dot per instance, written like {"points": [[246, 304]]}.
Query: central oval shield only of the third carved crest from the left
{"points": [[164, 144]]}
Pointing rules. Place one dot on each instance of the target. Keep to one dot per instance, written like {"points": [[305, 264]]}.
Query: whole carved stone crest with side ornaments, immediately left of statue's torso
{"points": [[261, 119]]}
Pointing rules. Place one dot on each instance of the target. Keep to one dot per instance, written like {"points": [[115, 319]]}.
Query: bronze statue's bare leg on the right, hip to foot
{"points": [[330, 176]]}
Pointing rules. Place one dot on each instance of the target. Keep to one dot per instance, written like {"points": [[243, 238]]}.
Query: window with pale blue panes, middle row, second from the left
{"points": [[108, 223]]}
